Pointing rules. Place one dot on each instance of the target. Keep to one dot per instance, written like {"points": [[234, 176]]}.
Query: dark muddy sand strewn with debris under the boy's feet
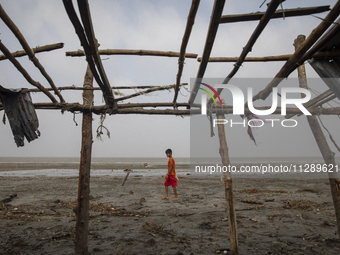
{"points": [[279, 216]]}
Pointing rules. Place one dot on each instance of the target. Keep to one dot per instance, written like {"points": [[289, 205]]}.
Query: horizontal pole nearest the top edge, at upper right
{"points": [[277, 14]]}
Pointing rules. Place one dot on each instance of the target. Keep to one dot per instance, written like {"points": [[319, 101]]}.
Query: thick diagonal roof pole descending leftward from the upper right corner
{"points": [[290, 65]]}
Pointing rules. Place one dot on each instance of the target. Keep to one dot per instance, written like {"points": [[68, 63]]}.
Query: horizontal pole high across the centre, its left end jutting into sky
{"points": [[80, 53]]}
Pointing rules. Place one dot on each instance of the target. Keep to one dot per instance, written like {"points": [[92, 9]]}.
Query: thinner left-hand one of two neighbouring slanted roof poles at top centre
{"points": [[190, 24]]}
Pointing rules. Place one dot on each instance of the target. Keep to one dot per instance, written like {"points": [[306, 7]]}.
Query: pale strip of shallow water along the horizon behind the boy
{"points": [[52, 167]]}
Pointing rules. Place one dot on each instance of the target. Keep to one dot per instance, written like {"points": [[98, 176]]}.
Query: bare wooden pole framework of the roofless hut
{"points": [[84, 29]]}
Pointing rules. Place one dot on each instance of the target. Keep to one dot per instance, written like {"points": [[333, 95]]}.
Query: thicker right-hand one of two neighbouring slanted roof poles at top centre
{"points": [[209, 42]]}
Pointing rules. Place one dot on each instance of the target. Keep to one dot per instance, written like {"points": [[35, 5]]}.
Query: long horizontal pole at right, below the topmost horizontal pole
{"points": [[317, 55]]}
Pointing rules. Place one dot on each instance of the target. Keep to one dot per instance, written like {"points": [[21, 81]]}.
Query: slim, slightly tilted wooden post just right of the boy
{"points": [[228, 182]]}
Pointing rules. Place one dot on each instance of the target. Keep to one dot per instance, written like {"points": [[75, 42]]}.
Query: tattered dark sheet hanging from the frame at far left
{"points": [[21, 114]]}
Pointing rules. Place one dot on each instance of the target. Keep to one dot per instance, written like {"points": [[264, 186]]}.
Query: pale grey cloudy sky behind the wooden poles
{"points": [[149, 25]]}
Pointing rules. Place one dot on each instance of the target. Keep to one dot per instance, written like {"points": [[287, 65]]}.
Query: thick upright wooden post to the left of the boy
{"points": [[82, 209]]}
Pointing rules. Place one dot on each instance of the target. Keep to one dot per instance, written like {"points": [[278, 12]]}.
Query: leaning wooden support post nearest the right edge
{"points": [[326, 152]]}
